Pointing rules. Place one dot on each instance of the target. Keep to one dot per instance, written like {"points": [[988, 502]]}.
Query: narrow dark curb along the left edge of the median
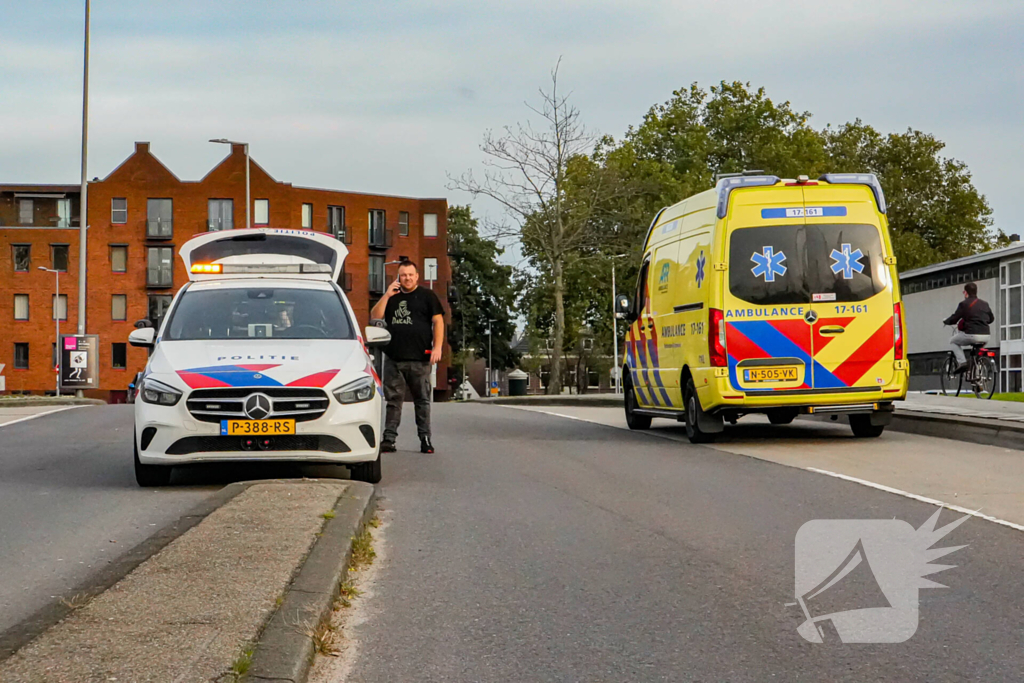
{"points": [[28, 630]]}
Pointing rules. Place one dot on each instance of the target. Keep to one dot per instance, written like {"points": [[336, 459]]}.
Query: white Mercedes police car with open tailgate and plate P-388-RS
{"points": [[260, 358]]}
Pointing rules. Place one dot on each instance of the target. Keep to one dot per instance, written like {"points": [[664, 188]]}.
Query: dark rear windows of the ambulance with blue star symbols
{"points": [[792, 265]]}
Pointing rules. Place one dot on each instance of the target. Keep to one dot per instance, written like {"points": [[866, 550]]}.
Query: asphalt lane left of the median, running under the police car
{"points": [[70, 505]]}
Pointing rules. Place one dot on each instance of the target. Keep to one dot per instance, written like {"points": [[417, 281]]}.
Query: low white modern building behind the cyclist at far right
{"points": [[931, 294]]}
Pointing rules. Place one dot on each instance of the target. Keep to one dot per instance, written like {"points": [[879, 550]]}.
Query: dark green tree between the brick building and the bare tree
{"points": [[487, 290]]}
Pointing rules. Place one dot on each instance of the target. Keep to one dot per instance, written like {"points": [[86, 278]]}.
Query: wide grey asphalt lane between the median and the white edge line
{"points": [[537, 548]]}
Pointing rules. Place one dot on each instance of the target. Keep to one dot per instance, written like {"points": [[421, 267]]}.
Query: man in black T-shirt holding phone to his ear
{"points": [[416, 321]]}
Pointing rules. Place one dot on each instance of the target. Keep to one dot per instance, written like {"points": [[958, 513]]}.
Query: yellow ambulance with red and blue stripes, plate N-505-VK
{"points": [[767, 295]]}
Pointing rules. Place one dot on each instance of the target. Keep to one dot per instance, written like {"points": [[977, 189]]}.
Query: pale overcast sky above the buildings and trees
{"points": [[389, 97]]}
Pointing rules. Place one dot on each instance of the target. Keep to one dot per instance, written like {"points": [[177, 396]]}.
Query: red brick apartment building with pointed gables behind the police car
{"points": [[139, 217]]}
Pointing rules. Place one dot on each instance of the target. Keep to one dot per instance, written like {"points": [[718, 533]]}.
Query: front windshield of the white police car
{"points": [[260, 314]]}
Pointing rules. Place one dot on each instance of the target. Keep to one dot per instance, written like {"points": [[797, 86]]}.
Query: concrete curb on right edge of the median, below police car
{"points": [[285, 652]]}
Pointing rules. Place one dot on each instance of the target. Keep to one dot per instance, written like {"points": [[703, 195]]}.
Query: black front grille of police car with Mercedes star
{"points": [[298, 404]]}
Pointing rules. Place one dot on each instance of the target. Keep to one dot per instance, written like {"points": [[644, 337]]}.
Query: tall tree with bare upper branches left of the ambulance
{"points": [[543, 178]]}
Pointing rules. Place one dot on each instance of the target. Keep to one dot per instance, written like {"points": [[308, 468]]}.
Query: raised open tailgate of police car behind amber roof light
{"points": [[264, 252]]}
